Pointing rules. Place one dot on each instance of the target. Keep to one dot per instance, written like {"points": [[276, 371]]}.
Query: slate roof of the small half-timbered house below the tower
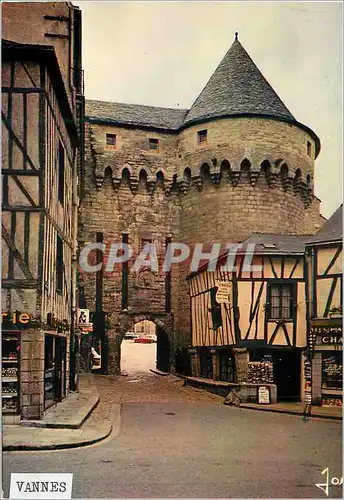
{"points": [[276, 244]]}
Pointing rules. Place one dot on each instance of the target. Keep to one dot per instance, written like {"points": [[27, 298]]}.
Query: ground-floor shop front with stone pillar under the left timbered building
{"points": [[34, 372]]}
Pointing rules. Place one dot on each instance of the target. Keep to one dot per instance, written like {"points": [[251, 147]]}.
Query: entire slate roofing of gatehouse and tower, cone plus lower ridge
{"points": [[236, 88]]}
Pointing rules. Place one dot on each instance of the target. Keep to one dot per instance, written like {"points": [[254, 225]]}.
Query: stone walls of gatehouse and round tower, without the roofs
{"points": [[251, 175]]}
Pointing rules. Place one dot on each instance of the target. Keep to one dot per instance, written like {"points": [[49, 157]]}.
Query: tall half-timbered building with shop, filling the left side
{"points": [[42, 102]]}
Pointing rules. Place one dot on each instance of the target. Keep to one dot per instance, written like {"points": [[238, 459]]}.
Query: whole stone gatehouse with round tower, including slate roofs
{"points": [[236, 162]]}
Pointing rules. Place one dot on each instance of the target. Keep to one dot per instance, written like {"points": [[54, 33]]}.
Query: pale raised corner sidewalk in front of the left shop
{"points": [[72, 423]]}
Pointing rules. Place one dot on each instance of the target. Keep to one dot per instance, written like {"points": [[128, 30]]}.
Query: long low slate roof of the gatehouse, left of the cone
{"points": [[135, 114]]}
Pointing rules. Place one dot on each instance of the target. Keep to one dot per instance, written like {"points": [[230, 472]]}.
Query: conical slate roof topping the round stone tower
{"points": [[237, 87]]}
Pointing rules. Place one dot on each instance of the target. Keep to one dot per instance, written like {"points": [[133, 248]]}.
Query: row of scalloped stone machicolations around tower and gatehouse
{"points": [[275, 175]]}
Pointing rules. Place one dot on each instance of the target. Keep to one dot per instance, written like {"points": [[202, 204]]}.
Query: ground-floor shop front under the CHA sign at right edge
{"points": [[327, 362]]}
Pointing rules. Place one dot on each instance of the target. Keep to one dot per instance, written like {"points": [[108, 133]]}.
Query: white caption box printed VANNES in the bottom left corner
{"points": [[39, 486]]}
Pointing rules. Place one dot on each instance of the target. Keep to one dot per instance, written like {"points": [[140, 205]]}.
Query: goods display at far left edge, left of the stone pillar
{"points": [[10, 373]]}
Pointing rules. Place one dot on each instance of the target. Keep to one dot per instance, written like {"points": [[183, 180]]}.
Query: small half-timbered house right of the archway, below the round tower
{"points": [[253, 331]]}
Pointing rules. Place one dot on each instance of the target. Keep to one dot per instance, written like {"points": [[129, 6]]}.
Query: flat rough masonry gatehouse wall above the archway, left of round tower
{"points": [[118, 200]]}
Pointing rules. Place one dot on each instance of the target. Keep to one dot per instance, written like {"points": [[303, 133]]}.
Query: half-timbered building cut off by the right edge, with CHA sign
{"points": [[325, 289]]}
